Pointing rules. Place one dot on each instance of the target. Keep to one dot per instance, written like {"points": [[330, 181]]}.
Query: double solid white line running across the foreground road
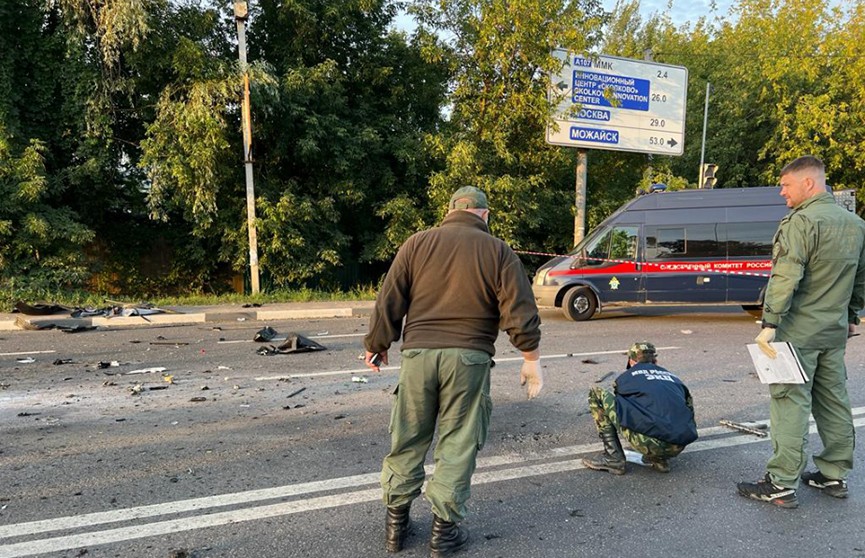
{"points": [[524, 468]]}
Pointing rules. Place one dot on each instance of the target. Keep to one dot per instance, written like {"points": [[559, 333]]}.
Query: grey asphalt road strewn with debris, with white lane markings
{"points": [[245, 455]]}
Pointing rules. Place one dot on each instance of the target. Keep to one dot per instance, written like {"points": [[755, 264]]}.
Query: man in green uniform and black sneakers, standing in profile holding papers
{"points": [[816, 290]]}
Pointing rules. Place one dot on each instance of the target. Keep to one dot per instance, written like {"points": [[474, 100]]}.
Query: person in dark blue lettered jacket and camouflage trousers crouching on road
{"points": [[651, 407]]}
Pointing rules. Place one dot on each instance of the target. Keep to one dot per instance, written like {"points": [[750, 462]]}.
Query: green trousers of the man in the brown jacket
{"points": [[450, 387]]}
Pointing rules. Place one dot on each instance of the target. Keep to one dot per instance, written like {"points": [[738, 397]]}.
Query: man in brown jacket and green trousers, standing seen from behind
{"points": [[456, 286]]}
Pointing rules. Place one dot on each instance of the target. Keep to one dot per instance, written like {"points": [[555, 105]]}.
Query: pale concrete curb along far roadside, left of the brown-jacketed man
{"points": [[22, 322]]}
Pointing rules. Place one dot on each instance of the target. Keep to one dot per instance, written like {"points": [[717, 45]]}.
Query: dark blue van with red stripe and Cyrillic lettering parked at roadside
{"points": [[708, 246]]}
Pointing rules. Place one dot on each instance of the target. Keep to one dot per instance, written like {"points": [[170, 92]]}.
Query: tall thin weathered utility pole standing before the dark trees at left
{"points": [[241, 14]]}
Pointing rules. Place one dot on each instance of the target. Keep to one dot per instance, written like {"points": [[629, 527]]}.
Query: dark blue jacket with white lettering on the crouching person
{"points": [[653, 401]]}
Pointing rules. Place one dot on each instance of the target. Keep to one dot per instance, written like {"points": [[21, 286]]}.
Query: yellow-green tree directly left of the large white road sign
{"points": [[501, 62]]}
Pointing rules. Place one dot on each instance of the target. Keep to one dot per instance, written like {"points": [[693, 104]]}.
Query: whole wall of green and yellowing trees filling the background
{"points": [[121, 159]]}
